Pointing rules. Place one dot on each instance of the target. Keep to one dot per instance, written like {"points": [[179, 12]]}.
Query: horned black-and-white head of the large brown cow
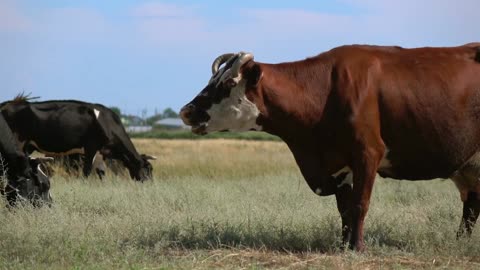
{"points": [[226, 103]]}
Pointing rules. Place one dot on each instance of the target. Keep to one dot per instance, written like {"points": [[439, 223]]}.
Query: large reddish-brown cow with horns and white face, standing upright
{"points": [[404, 113]]}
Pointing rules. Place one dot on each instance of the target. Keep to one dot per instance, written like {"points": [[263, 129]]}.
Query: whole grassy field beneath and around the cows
{"points": [[230, 204]]}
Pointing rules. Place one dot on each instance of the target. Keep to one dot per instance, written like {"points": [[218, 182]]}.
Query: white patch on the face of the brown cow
{"points": [[235, 113]]}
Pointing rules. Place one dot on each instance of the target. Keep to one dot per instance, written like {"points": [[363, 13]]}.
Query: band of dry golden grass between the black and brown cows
{"points": [[217, 159]]}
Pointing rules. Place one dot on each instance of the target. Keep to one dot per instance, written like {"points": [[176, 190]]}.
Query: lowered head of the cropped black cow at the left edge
{"points": [[31, 185]]}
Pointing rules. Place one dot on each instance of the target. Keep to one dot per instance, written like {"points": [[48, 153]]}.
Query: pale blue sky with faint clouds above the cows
{"points": [[147, 55]]}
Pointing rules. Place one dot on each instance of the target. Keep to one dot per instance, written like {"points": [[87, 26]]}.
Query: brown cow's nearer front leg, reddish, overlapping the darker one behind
{"points": [[364, 173]]}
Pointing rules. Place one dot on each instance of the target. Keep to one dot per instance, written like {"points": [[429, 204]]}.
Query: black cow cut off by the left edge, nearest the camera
{"points": [[25, 178]]}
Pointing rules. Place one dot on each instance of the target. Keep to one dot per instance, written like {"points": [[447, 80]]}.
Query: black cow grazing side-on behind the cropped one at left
{"points": [[62, 127]]}
